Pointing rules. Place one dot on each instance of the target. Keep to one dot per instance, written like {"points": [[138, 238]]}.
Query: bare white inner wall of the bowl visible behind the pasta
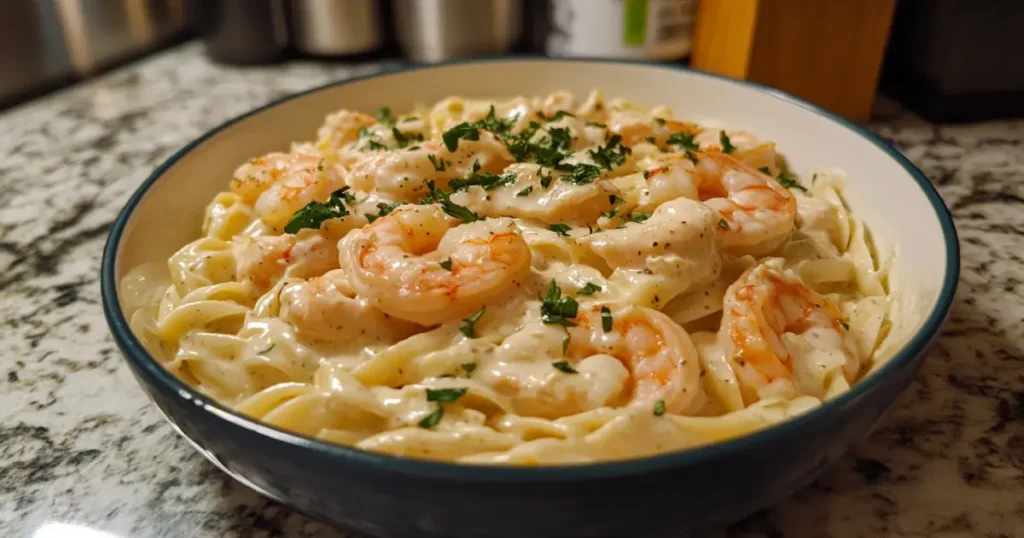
{"points": [[908, 221]]}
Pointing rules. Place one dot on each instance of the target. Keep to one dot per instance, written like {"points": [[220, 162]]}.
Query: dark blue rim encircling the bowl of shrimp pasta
{"points": [[166, 383]]}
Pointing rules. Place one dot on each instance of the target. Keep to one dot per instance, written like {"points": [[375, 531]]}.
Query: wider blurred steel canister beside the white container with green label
{"points": [[438, 30]]}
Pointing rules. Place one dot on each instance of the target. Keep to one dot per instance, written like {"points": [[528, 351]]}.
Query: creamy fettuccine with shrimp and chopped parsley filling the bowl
{"points": [[533, 281]]}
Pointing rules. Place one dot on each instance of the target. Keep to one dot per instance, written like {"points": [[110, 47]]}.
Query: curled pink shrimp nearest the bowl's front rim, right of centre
{"points": [[658, 353]]}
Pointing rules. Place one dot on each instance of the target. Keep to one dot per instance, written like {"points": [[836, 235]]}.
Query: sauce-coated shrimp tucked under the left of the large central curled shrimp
{"points": [[327, 309]]}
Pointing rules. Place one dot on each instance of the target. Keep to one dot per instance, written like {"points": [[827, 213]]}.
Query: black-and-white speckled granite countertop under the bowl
{"points": [[81, 445]]}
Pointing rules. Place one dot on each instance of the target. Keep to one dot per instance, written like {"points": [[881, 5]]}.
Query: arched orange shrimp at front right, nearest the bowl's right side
{"points": [[767, 304]]}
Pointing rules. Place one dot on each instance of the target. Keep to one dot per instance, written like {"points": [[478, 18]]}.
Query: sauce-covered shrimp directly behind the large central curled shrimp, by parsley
{"points": [[403, 175]]}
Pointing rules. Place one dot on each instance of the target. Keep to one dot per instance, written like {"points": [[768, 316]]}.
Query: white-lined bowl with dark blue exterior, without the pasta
{"points": [[385, 495]]}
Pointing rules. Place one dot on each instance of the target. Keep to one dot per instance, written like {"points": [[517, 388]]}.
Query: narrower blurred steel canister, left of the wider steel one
{"points": [[335, 27]]}
